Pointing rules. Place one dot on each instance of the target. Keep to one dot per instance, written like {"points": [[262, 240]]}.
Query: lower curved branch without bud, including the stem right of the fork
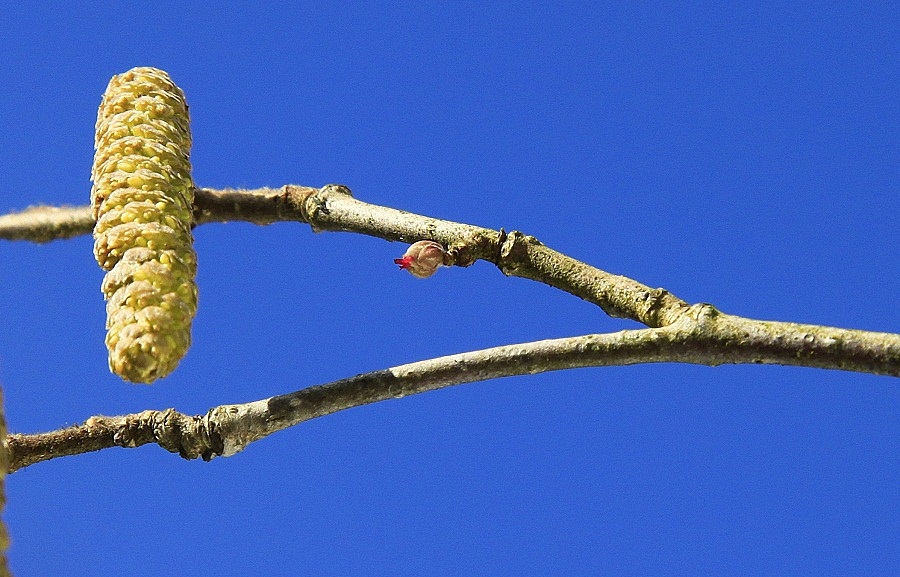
{"points": [[703, 336]]}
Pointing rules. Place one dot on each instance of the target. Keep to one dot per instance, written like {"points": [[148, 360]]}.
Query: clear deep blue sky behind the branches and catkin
{"points": [[746, 157]]}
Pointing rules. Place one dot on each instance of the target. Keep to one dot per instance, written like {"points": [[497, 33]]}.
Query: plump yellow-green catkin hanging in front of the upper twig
{"points": [[142, 197]]}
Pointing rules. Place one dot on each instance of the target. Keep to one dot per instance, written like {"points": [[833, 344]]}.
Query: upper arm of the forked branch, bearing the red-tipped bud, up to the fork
{"points": [[333, 208]]}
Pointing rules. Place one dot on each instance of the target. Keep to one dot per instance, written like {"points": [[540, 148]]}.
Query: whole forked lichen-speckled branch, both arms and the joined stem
{"points": [[678, 332]]}
